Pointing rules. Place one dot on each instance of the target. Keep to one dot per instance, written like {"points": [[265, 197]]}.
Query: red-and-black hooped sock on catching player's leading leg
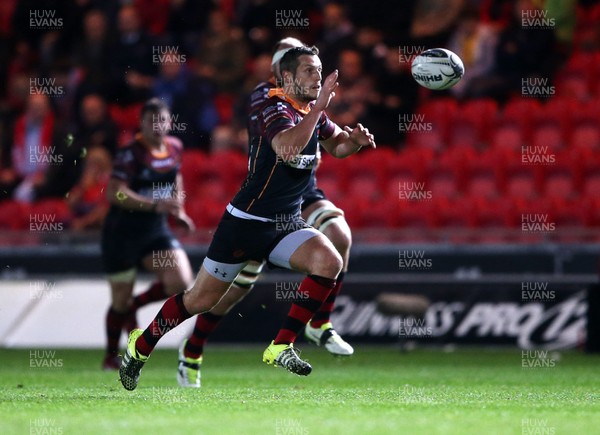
{"points": [[317, 288]]}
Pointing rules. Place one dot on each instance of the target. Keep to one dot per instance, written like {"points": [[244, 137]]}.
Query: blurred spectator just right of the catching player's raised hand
{"points": [[351, 98]]}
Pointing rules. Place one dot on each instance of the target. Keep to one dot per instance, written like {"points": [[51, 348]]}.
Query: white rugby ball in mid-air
{"points": [[437, 69]]}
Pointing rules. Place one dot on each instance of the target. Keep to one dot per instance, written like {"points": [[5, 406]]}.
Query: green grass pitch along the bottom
{"points": [[379, 390]]}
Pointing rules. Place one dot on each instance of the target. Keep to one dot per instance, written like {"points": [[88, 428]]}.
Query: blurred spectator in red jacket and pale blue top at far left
{"points": [[32, 152]]}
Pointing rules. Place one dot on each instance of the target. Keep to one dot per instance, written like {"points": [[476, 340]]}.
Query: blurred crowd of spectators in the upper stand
{"points": [[73, 73]]}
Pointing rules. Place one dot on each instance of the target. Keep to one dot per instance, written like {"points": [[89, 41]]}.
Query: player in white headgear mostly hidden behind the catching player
{"points": [[318, 212]]}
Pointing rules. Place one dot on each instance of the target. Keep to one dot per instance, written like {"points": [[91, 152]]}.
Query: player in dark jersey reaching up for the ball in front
{"points": [[263, 221]]}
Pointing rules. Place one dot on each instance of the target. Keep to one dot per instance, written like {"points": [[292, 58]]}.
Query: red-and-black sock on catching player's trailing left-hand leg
{"points": [[171, 315]]}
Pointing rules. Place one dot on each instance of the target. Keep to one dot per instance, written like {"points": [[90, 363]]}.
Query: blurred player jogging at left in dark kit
{"points": [[144, 190]]}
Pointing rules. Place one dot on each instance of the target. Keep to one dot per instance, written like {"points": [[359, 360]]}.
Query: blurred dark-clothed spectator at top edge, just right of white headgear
{"points": [[336, 35]]}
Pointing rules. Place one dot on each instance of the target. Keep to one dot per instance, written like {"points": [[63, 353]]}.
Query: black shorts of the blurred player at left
{"points": [[125, 245]]}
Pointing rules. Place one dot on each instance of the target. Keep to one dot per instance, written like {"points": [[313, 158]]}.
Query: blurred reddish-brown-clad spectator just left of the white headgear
{"points": [[222, 54]]}
